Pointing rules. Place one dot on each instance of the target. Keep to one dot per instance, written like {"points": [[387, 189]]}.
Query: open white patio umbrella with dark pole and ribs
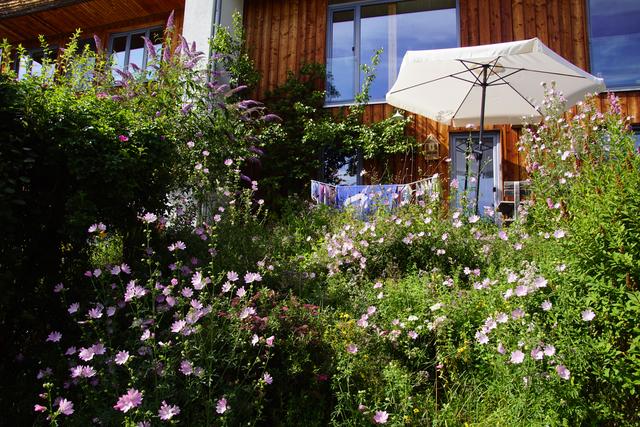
{"points": [[488, 84]]}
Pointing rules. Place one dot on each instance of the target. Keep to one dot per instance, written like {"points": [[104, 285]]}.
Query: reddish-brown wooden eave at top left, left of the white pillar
{"points": [[100, 17]]}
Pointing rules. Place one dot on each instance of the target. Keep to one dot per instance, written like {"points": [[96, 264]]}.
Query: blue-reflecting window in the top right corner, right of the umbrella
{"points": [[615, 42]]}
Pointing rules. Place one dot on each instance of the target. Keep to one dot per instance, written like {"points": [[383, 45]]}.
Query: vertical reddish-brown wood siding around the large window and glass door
{"points": [[284, 34]]}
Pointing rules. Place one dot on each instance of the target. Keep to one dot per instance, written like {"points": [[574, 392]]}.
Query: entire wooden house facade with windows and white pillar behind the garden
{"points": [[282, 35]]}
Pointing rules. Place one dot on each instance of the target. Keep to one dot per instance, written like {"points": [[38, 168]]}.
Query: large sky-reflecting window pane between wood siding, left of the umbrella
{"points": [[358, 29]]}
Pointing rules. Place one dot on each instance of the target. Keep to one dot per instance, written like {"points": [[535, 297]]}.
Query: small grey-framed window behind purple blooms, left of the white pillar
{"points": [[128, 49]]}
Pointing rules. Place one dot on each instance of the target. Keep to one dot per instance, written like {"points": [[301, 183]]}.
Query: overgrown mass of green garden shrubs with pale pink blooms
{"points": [[203, 308]]}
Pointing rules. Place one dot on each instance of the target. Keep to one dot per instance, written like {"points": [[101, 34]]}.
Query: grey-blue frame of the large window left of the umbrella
{"points": [[356, 6]]}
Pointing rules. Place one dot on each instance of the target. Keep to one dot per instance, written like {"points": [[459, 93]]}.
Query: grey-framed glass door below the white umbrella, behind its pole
{"points": [[473, 165]]}
